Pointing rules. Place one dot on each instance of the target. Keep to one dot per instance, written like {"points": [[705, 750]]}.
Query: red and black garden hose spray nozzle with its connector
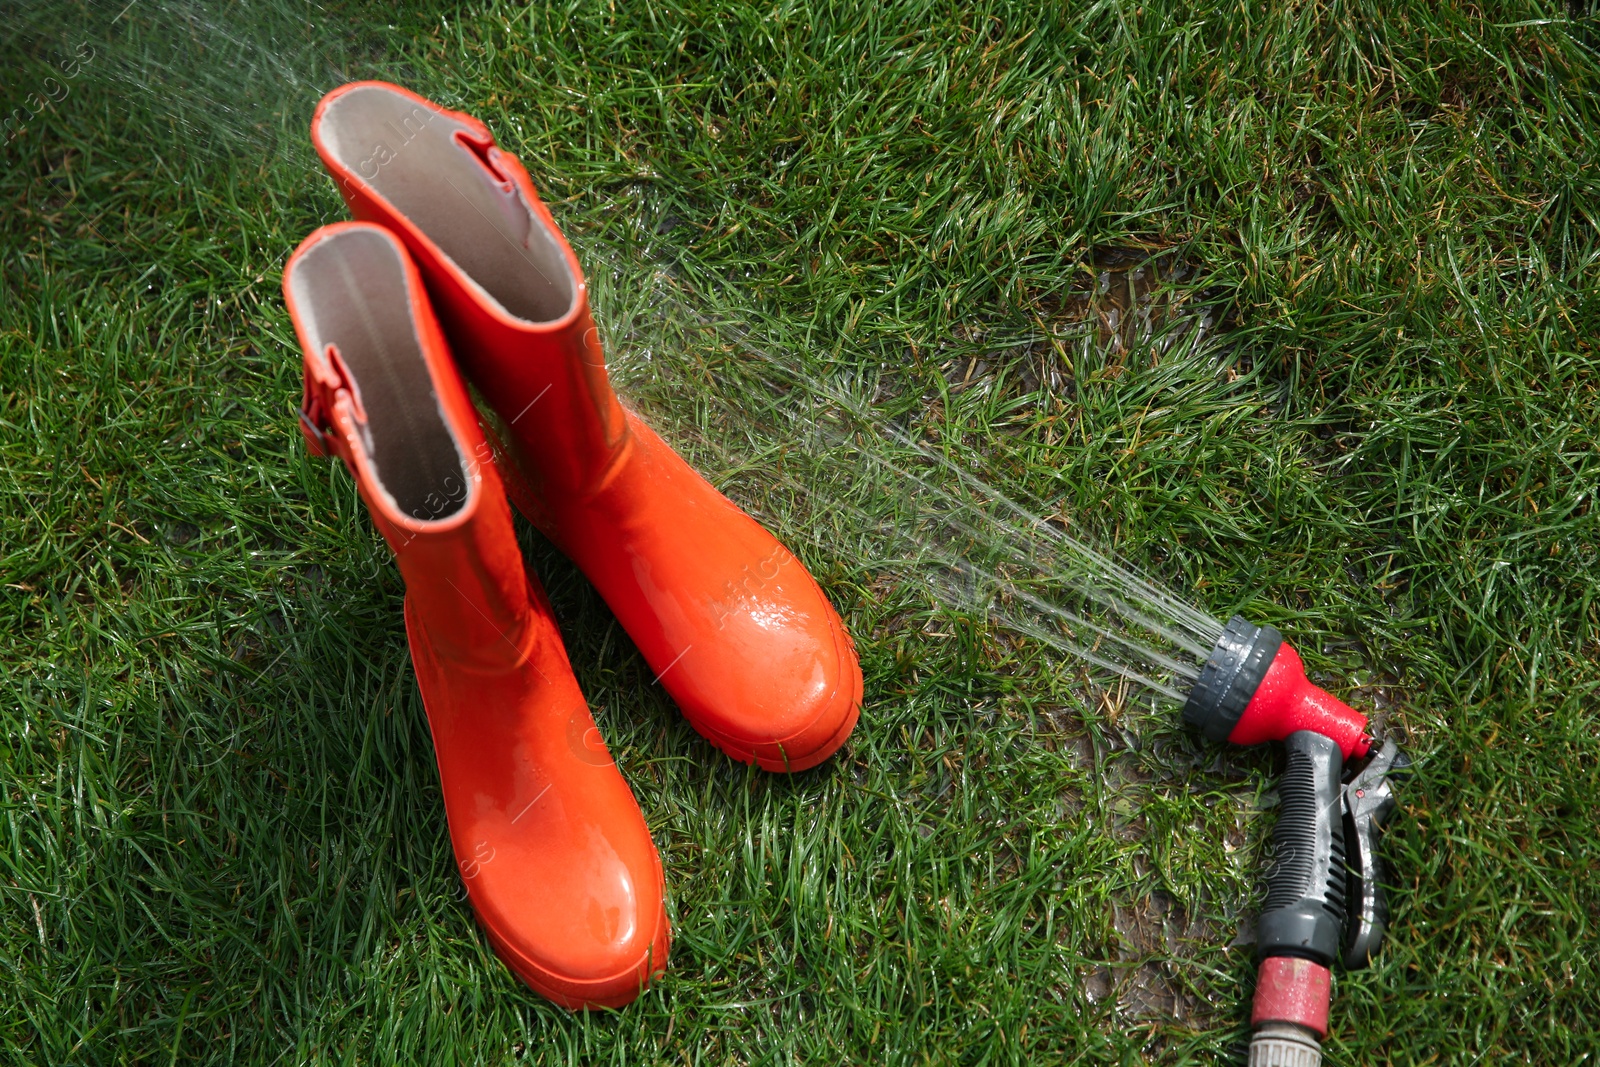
{"points": [[1324, 893]]}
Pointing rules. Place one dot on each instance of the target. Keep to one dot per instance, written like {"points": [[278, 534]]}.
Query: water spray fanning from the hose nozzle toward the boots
{"points": [[823, 444]]}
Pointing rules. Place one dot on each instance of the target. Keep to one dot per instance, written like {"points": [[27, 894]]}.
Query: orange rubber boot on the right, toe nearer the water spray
{"points": [[729, 620]]}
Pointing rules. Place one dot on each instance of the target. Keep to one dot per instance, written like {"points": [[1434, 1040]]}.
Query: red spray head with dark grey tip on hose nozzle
{"points": [[1254, 689]]}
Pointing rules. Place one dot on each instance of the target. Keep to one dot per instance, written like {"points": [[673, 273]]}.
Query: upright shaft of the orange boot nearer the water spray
{"points": [[502, 276]]}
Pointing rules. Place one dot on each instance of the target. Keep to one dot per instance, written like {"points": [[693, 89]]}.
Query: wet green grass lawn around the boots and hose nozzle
{"points": [[222, 825]]}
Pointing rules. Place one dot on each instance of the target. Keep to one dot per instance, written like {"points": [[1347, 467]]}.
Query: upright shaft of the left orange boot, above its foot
{"points": [[383, 396]]}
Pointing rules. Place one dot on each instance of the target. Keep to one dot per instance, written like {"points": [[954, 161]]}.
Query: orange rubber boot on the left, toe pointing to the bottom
{"points": [[553, 849]]}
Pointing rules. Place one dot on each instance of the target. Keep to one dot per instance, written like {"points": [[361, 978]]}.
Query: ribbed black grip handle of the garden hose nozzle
{"points": [[1305, 911]]}
